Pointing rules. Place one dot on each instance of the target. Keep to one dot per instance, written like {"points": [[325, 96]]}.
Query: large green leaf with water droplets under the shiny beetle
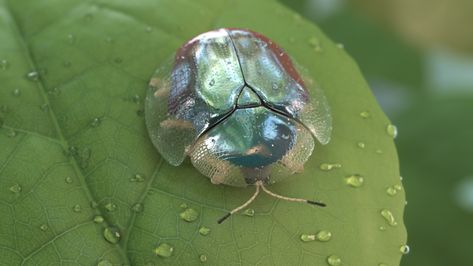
{"points": [[74, 147]]}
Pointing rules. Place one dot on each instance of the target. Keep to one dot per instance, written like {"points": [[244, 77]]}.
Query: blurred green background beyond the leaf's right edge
{"points": [[417, 56]]}
